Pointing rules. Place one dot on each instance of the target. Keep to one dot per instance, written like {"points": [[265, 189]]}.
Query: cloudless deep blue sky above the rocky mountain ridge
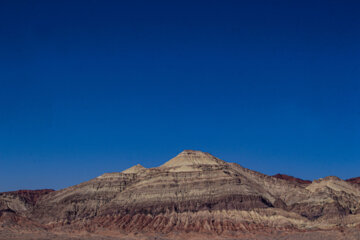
{"points": [[88, 87]]}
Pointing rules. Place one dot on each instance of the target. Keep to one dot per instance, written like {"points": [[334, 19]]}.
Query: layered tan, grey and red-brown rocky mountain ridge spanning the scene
{"points": [[193, 195]]}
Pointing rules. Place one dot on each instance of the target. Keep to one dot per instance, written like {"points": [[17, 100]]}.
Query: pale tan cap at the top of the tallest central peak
{"points": [[192, 157]]}
